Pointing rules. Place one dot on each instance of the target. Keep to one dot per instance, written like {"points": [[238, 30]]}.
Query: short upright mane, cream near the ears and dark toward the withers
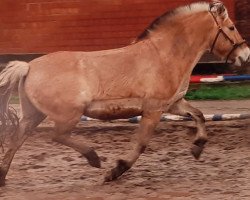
{"points": [[170, 15]]}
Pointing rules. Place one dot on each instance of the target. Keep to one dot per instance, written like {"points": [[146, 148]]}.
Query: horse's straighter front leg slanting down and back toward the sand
{"points": [[147, 125]]}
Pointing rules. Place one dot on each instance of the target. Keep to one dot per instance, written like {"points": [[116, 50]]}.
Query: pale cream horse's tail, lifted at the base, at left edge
{"points": [[9, 80]]}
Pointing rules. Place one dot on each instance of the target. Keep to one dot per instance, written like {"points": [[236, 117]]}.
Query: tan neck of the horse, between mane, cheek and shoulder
{"points": [[188, 40]]}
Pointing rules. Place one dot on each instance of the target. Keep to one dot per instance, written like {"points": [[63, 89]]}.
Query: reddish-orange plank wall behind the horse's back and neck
{"points": [[43, 26]]}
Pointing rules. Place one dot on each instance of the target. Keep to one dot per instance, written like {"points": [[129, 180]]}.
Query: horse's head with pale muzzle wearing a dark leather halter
{"points": [[227, 43]]}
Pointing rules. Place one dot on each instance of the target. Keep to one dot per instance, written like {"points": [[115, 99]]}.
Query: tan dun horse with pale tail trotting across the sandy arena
{"points": [[146, 78]]}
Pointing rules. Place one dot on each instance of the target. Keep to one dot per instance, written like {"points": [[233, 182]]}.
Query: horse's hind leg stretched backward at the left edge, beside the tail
{"points": [[30, 118]]}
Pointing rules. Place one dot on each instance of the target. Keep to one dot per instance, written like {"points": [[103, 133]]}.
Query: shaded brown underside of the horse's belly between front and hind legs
{"points": [[114, 109]]}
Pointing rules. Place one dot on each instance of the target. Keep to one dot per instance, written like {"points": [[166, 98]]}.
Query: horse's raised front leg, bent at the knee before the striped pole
{"points": [[183, 108]]}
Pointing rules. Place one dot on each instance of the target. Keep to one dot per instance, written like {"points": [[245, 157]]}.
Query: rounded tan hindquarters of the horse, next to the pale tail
{"points": [[57, 89]]}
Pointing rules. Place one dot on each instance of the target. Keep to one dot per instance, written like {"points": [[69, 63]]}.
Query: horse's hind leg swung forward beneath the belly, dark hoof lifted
{"points": [[63, 136]]}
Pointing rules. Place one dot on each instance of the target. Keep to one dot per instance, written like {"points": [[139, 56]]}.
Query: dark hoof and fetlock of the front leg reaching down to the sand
{"points": [[122, 166]]}
